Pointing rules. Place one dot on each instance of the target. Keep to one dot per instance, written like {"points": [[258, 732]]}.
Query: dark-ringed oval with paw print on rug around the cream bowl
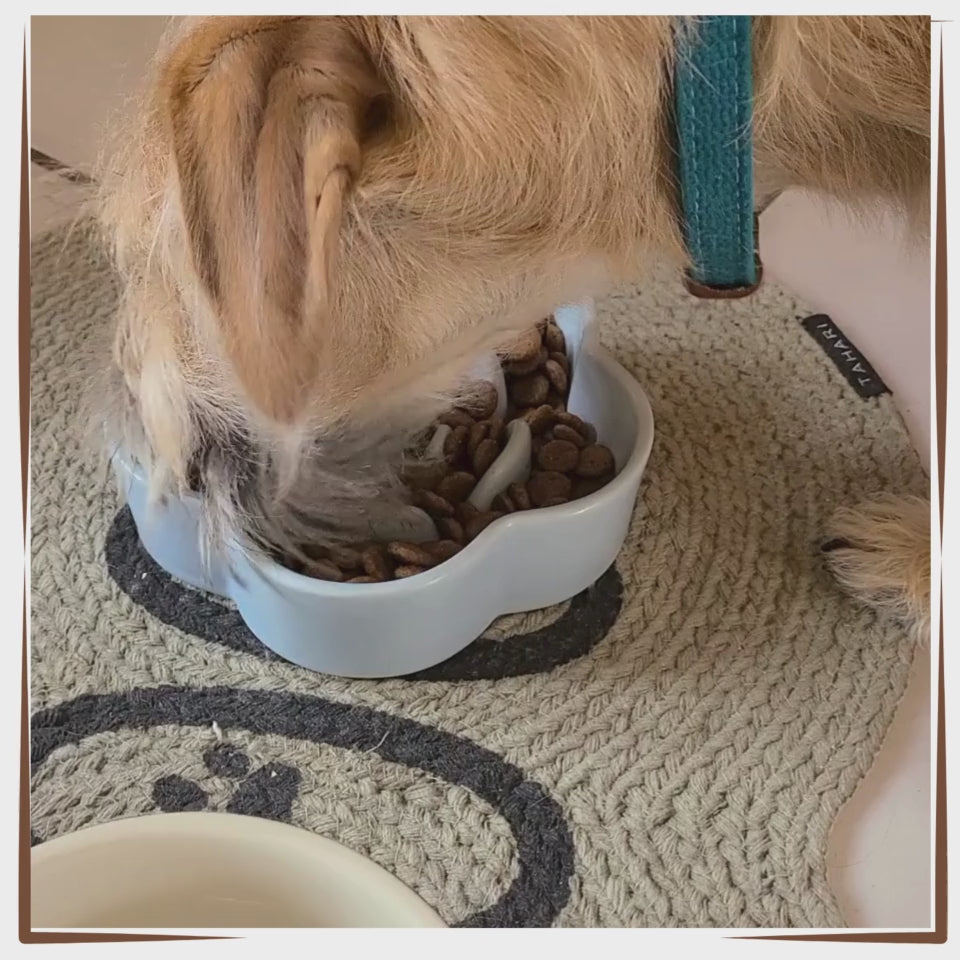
{"points": [[479, 839]]}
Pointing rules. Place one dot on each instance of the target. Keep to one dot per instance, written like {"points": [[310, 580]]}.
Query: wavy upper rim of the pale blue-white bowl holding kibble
{"points": [[290, 581]]}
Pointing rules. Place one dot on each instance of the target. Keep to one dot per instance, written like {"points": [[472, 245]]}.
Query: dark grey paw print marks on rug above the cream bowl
{"points": [[267, 792]]}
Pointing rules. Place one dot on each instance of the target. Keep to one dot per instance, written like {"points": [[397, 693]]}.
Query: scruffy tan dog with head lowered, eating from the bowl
{"points": [[319, 222]]}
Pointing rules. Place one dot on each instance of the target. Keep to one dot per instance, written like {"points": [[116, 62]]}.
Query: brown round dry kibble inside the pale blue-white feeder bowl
{"points": [[567, 463]]}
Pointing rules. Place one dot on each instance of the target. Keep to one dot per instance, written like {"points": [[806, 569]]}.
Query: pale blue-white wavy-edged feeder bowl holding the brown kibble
{"points": [[524, 561]]}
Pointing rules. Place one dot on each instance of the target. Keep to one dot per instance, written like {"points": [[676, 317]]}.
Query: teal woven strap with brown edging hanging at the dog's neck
{"points": [[713, 96]]}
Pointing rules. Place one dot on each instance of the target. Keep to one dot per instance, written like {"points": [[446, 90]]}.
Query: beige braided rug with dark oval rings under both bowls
{"points": [[670, 748]]}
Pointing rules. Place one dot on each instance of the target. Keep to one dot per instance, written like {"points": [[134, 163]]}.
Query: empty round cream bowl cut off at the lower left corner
{"points": [[212, 870]]}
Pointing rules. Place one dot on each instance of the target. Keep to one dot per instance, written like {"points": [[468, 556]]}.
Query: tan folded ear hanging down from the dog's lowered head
{"points": [[265, 117]]}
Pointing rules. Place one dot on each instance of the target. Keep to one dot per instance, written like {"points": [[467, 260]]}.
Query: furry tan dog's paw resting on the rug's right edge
{"points": [[879, 551]]}
